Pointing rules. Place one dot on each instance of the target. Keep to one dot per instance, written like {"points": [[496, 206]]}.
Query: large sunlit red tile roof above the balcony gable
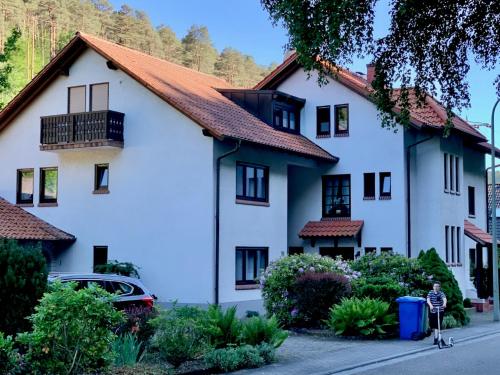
{"points": [[191, 92]]}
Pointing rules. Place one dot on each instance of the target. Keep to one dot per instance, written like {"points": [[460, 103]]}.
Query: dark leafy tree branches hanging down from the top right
{"points": [[417, 52]]}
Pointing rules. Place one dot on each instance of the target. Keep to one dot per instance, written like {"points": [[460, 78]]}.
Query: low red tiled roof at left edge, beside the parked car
{"points": [[18, 224]]}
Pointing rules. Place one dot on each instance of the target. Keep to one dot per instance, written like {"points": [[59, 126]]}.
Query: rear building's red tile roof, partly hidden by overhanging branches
{"points": [[431, 114]]}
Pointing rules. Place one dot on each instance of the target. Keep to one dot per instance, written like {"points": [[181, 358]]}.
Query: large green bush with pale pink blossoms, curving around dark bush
{"points": [[278, 280]]}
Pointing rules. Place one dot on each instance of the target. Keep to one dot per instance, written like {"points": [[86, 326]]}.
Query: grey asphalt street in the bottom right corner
{"points": [[481, 356]]}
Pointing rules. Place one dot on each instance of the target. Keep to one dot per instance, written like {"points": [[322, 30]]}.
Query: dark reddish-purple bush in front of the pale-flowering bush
{"points": [[315, 293]]}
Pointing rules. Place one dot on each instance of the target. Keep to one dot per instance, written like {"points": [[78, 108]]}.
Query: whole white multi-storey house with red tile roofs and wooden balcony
{"points": [[201, 185]]}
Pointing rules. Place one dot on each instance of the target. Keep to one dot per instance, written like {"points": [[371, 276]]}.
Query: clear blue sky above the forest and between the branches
{"points": [[244, 25]]}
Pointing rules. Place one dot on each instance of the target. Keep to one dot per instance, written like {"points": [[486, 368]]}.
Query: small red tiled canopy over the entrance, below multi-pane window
{"points": [[331, 228]]}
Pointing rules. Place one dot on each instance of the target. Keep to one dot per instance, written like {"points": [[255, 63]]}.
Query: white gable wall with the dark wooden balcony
{"points": [[159, 213]]}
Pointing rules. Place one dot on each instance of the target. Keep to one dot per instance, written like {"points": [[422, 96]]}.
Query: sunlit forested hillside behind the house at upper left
{"points": [[47, 25]]}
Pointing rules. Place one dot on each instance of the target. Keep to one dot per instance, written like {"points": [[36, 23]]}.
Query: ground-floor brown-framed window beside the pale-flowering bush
{"points": [[250, 263]]}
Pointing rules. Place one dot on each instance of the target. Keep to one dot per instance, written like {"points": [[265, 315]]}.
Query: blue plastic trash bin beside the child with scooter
{"points": [[411, 315]]}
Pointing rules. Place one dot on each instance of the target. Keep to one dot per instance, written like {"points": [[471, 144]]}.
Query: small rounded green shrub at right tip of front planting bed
{"points": [[257, 330]]}
